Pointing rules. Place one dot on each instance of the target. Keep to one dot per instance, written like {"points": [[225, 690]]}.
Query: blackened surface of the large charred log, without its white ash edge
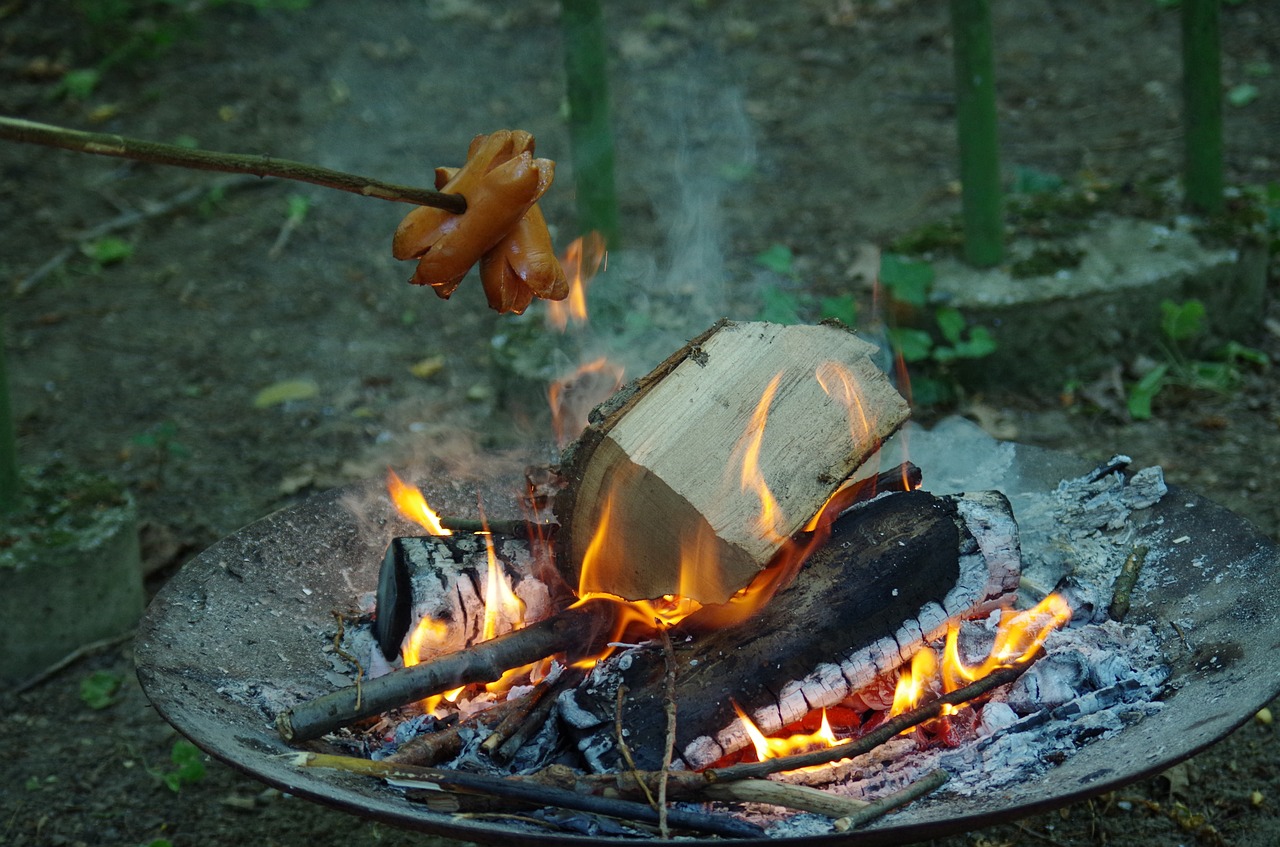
{"points": [[883, 565]]}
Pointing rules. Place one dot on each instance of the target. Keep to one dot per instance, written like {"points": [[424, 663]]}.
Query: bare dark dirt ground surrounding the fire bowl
{"points": [[822, 125]]}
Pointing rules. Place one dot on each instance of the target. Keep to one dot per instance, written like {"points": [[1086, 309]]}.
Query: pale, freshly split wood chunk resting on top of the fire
{"points": [[664, 463]]}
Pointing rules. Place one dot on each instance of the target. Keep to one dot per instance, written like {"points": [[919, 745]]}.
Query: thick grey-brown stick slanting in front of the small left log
{"points": [[582, 630]]}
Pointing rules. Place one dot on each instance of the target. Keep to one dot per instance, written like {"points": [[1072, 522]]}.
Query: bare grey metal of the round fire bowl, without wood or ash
{"points": [[255, 608]]}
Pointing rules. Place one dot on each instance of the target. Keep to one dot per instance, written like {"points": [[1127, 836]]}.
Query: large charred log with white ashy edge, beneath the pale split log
{"points": [[894, 573]]}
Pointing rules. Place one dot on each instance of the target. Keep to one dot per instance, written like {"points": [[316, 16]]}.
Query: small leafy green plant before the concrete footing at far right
{"points": [[1183, 327]]}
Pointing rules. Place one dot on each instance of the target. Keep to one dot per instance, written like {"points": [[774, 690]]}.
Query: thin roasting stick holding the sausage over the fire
{"points": [[122, 148]]}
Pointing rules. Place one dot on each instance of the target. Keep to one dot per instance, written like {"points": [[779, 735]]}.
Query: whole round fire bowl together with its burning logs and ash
{"points": [[732, 611]]}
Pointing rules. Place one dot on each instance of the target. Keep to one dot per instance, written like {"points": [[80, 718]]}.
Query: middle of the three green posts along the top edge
{"points": [[976, 129]]}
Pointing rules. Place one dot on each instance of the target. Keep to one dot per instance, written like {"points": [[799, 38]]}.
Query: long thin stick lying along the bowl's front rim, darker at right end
{"points": [[533, 793]]}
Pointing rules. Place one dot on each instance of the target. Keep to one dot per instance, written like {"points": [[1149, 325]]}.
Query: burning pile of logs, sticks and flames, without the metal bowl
{"points": [[671, 633]]}
